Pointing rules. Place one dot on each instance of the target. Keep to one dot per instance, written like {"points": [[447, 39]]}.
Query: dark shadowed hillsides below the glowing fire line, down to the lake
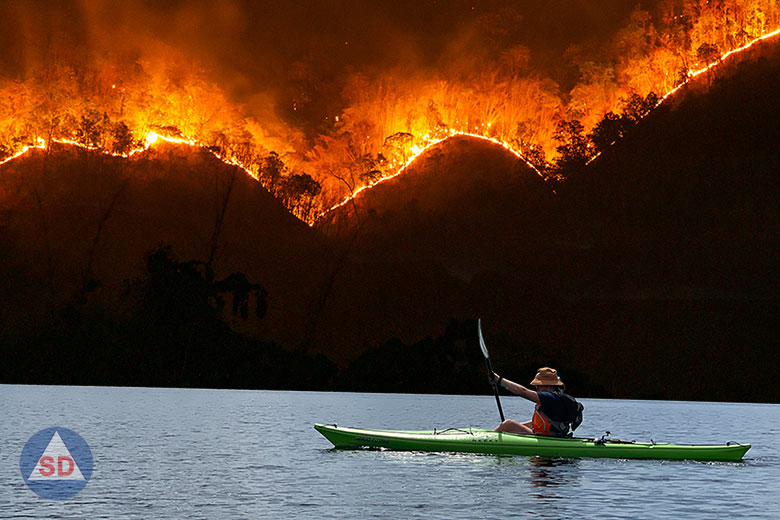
{"points": [[656, 262]]}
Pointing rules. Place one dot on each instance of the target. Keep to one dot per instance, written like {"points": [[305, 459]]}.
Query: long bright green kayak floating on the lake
{"points": [[475, 440]]}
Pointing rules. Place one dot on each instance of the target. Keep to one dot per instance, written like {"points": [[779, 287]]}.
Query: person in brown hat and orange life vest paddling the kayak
{"points": [[556, 413]]}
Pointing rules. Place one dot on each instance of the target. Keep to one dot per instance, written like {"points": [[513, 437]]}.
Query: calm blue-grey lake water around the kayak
{"points": [[177, 453]]}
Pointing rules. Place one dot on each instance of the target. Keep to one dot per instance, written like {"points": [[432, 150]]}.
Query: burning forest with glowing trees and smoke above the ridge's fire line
{"points": [[323, 137]]}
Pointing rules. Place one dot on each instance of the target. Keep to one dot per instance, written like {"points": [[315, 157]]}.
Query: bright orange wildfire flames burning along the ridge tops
{"points": [[388, 121]]}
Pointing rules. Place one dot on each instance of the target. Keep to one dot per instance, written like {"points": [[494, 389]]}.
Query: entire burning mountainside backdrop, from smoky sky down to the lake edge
{"points": [[358, 174]]}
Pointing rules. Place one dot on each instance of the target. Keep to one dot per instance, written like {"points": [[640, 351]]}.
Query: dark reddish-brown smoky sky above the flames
{"points": [[248, 46]]}
